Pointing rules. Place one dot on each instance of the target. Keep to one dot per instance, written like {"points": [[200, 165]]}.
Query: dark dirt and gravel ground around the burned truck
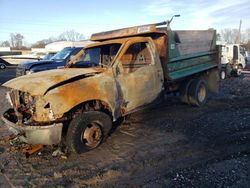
{"points": [[172, 145]]}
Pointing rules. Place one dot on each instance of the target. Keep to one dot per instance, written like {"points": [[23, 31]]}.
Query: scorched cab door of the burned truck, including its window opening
{"points": [[140, 77]]}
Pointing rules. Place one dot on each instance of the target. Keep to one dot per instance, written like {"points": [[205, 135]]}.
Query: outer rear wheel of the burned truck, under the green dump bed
{"points": [[197, 92]]}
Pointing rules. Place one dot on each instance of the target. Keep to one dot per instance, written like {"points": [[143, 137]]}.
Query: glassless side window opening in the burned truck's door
{"points": [[137, 55]]}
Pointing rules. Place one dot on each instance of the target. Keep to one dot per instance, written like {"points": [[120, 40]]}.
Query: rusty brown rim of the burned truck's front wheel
{"points": [[92, 135]]}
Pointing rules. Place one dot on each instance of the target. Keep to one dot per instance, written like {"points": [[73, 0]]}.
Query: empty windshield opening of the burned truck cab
{"points": [[97, 56]]}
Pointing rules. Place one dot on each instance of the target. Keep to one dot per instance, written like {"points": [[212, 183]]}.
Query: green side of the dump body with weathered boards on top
{"points": [[189, 53]]}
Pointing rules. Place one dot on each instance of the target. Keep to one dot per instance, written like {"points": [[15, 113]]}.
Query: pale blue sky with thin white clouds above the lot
{"points": [[37, 20]]}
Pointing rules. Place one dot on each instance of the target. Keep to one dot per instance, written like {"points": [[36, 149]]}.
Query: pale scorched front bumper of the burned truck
{"points": [[45, 135]]}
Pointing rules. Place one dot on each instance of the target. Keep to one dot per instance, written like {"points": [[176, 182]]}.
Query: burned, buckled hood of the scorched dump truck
{"points": [[40, 83]]}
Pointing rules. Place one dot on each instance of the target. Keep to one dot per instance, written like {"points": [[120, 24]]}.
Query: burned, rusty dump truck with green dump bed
{"points": [[124, 71]]}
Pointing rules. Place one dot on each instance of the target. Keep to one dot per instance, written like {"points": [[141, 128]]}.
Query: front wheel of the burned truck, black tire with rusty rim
{"points": [[87, 131]]}
